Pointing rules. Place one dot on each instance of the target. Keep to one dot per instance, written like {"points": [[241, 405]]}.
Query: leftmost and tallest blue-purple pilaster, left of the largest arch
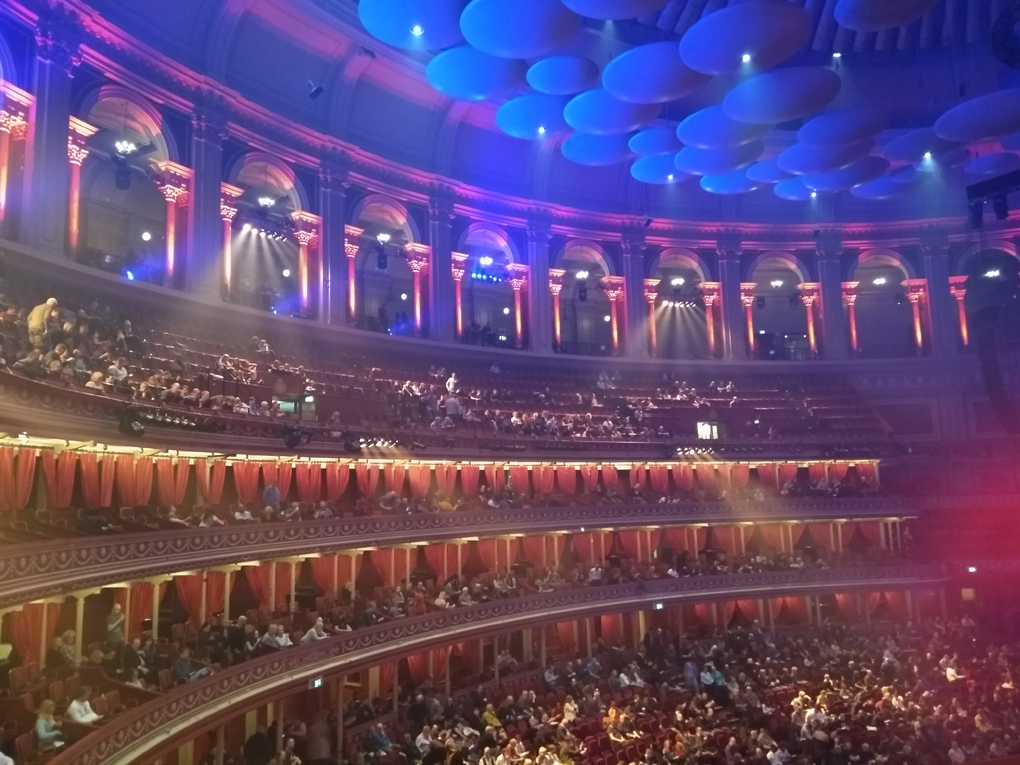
{"points": [[47, 170]]}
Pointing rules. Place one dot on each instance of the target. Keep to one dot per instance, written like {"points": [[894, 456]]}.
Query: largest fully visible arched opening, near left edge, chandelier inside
{"points": [[124, 214]]}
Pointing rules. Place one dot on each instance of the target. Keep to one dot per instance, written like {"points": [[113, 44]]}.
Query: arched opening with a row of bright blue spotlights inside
{"points": [[488, 300]]}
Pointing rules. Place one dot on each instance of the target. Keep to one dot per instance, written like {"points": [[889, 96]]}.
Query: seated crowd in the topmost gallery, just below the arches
{"points": [[97, 347]]}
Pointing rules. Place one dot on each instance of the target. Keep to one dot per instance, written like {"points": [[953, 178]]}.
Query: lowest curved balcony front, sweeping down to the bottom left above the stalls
{"points": [[158, 727]]}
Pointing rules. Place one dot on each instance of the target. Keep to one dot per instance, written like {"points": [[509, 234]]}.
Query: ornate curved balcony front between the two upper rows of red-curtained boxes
{"points": [[35, 571]]}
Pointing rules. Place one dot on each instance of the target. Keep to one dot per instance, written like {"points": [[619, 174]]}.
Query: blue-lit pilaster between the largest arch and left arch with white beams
{"points": [[198, 268]]}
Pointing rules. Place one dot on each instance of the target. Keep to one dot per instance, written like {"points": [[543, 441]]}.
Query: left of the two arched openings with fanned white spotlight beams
{"points": [[265, 252]]}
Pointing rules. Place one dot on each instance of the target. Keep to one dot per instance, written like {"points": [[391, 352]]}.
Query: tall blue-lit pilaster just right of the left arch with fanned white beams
{"points": [[335, 180]]}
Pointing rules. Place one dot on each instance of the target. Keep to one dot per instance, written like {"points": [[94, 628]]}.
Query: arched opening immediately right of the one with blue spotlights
{"points": [[585, 310]]}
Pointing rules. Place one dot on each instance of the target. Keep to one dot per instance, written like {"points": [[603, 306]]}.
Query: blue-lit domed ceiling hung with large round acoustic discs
{"points": [[702, 110]]}
